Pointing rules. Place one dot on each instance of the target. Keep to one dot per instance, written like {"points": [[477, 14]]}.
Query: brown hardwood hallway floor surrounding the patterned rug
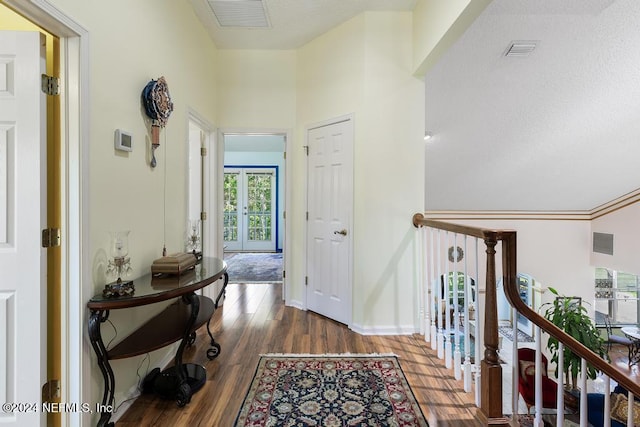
{"points": [[253, 320]]}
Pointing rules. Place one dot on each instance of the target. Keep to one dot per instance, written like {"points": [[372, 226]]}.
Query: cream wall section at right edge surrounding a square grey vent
{"points": [[626, 239]]}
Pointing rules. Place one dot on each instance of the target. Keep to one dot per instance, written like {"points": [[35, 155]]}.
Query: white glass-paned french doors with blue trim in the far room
{"points": [[249, 209]]}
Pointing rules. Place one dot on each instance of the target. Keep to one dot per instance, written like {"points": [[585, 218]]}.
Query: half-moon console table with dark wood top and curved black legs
{"points": [[178, 321]]}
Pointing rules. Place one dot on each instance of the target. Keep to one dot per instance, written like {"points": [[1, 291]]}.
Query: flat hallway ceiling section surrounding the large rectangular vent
{"points": [[293, 22]]}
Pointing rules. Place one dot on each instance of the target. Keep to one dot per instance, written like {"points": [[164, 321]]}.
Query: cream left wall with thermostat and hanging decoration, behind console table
{"points": [[153, 38]]}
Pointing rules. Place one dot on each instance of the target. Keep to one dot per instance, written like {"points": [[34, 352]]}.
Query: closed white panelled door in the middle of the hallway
{"points": [[330, 200]]}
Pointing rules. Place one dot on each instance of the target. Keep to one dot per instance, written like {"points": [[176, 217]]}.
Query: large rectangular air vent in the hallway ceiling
{"points": [[240, 13]]}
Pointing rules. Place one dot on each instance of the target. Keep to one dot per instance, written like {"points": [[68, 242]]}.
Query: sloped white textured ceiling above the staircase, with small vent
{"points": [[558, 130]]}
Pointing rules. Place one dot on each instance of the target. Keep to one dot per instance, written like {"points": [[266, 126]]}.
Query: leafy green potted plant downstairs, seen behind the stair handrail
{"points": [[571, 316]]}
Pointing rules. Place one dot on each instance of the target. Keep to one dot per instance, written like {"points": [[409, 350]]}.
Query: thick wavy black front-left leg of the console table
{"points": [[98, 317]]}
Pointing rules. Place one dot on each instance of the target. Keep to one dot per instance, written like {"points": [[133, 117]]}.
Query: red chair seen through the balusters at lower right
{"points": [[526, 380]]}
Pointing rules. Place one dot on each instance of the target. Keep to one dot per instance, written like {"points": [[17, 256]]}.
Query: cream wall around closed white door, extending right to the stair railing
{"points": [[364, 68]]}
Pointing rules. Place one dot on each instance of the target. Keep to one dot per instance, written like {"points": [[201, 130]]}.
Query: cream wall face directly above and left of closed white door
{"points": [[330, 71]]}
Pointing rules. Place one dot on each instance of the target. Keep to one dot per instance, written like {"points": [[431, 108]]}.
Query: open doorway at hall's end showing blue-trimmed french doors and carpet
{"points": [[254, 204]]}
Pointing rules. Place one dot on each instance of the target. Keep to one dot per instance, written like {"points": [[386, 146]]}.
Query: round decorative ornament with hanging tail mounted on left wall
{"points": [[158, 106]]}
